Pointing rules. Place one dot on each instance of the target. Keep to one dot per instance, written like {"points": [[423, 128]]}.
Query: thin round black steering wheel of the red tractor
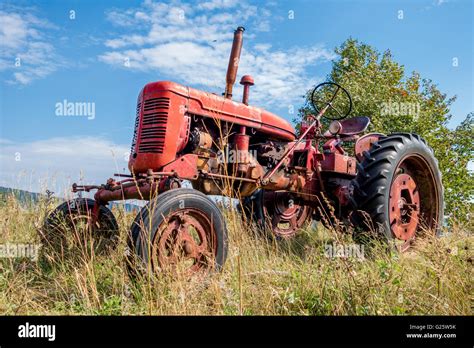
{"points": [[324, 95]]}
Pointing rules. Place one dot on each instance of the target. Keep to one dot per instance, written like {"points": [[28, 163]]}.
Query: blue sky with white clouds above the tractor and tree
{"points": [[110, 49]]}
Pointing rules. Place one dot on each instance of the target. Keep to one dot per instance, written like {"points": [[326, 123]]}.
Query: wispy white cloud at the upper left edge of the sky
{"points": [[23, 41]]}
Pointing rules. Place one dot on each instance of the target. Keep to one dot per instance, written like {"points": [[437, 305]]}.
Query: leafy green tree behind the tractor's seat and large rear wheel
{"points": [[396, 102]]}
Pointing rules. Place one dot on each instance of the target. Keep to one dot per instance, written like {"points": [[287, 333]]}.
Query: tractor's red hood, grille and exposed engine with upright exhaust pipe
{"points": [[221, 137]]}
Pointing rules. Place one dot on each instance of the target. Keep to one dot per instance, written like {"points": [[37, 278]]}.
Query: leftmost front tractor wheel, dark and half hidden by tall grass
{"points": [[69, 229]]}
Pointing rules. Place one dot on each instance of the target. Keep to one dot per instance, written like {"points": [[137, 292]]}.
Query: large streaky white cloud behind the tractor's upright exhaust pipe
{"points": [[191, 45]]}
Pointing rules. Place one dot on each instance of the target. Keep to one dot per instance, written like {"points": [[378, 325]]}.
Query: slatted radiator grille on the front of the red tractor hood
{"points": [[153, 127]]}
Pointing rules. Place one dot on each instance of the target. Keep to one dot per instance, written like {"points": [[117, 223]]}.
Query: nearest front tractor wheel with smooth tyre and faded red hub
{"points": [[180, 230]]}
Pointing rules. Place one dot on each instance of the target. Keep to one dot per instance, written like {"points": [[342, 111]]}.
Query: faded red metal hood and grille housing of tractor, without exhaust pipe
{"points": [[163, 126]]}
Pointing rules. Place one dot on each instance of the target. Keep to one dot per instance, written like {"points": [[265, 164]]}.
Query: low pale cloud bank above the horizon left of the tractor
{"points": [[58, 162]]}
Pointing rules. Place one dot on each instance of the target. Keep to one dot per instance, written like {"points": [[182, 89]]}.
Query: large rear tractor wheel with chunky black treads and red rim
{"points": [[398, 191]]}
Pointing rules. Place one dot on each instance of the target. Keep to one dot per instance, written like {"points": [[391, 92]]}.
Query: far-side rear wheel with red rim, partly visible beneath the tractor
{"points": [[277, 212]]}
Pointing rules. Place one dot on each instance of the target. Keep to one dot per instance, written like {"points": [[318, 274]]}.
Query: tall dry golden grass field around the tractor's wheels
{"points": [[260, 277]]}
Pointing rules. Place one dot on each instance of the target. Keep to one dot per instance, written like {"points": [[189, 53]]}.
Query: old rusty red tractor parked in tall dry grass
{"points": [[389, 184]]}
